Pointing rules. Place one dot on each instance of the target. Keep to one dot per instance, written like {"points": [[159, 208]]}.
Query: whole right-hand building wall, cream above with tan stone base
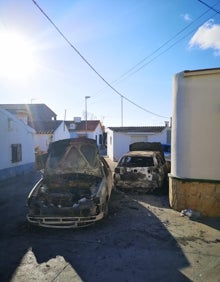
{"points": [[194, 181]]}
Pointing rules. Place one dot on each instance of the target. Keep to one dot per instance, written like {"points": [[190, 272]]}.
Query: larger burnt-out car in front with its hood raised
{"points": [[75, 187]]}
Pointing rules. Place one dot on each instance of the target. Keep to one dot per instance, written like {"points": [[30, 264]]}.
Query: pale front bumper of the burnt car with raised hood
{"points": [[63, 222]]}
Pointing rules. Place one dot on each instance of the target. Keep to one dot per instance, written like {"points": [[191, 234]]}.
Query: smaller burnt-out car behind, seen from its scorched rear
{"points": [[142, 168]]}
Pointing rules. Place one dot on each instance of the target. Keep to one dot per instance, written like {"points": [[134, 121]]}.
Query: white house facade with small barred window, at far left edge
{"points": [[16, 146]]}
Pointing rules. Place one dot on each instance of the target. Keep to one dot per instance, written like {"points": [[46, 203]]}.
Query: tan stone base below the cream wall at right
{"points": [[199, 195]]}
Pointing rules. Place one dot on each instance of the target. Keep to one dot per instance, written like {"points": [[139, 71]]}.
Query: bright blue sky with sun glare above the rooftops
{"points": [[39, 66]]}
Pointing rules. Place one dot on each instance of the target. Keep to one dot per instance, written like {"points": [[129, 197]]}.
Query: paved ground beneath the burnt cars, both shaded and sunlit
{"points": [[142, 239]]}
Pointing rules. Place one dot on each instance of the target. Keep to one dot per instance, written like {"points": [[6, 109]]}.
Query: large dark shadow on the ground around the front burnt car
{"points": [[131, 244]]}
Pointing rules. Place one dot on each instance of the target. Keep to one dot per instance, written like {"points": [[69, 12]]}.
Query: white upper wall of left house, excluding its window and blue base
{"points": [[15, 131]]}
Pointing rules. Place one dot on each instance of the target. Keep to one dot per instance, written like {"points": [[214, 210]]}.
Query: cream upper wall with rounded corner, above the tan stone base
{"points": [[196, 125]]}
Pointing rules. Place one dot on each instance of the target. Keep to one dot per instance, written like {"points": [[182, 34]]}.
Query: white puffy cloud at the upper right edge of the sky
{"points": [[207, 36]]}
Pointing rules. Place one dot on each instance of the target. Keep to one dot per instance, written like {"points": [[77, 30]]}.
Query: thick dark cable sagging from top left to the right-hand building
{"points": [[86, 61]]}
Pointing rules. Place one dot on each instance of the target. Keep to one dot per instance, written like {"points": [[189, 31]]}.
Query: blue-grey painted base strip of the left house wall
{"points": [[16, 170]]}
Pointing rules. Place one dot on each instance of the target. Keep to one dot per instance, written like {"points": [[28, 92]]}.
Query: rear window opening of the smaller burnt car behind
{"points": [[136, 161]]}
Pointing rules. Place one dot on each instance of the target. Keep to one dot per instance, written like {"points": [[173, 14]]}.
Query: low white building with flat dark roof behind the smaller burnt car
{"points": [[119, 138]]}
